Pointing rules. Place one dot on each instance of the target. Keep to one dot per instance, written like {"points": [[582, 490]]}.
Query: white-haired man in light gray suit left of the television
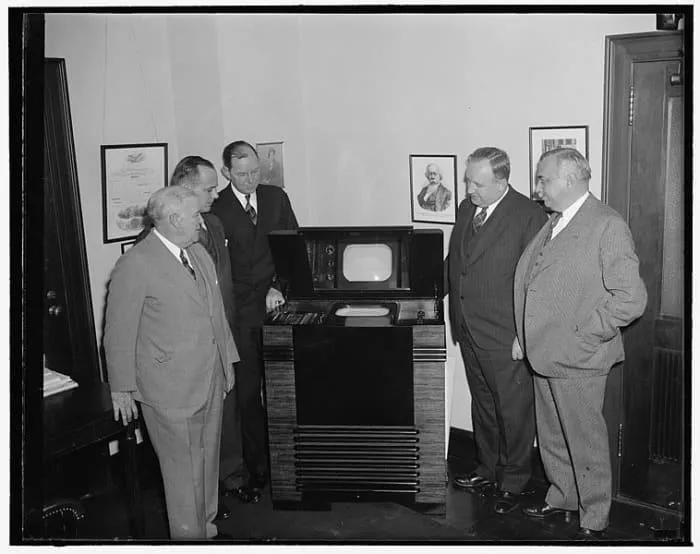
{"points": [[168, 346]]}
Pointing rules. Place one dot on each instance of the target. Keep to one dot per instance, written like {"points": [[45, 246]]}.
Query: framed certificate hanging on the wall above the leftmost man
{"points": [[130, 174]]}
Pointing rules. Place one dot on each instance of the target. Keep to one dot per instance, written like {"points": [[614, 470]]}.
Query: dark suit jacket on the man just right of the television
{"points": [[481, 267]]}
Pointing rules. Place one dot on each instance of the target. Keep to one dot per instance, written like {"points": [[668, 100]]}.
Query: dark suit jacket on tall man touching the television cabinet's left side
{"points": [[252, 267]]}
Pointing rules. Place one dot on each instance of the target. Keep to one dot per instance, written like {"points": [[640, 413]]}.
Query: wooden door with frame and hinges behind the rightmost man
{"points": [[644, 179]]}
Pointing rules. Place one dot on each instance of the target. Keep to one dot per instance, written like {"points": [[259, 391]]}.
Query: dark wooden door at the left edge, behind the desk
{"points": [[70, 345]]}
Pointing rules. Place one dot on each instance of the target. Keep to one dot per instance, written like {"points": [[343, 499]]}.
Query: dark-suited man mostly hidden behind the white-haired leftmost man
{"points": [[199, 175]]}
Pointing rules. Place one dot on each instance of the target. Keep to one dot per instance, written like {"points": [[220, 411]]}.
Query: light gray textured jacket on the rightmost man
{"points": [[573, 295]]}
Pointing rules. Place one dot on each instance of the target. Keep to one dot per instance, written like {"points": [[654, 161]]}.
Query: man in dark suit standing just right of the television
{"points": [[492, 229]]}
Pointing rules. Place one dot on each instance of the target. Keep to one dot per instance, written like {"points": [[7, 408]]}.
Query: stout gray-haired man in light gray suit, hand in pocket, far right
{"points": [[576, 284]]}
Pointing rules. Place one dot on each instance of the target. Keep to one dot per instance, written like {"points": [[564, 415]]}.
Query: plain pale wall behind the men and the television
{"points": [[351, 95]]}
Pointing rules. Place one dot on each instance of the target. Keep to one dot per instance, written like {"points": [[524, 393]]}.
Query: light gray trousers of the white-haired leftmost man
{"points": [[187, 443]]}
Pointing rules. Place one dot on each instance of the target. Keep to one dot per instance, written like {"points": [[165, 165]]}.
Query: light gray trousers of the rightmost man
{"points": [[573, 441]]}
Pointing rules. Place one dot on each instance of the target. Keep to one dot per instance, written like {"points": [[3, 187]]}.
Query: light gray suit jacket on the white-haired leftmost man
{"points": [[162, 337]]}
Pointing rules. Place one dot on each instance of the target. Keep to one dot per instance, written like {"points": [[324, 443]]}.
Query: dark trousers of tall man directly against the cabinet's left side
{"points": [[249, 380]]}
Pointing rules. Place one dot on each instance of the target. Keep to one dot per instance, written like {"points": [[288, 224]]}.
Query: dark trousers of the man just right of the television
{"points": [[502, 414]]}
